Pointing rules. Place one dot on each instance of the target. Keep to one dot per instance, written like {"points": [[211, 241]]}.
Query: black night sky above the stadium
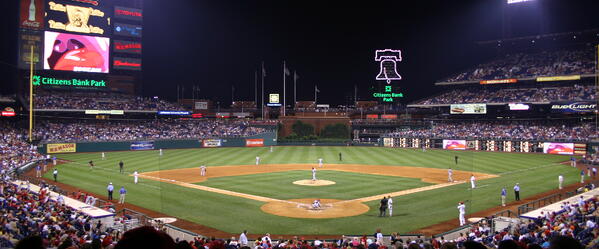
{"points": [[219, 44]]}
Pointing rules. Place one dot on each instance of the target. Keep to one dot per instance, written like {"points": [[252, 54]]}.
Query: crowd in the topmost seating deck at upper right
{"points": [[526, 65]]}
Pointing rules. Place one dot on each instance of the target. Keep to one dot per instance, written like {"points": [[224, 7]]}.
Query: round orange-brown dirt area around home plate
{"points": [[302, 208]]}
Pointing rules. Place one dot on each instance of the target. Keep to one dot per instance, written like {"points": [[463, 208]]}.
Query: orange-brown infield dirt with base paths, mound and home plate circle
{"points": [[300, 208]]}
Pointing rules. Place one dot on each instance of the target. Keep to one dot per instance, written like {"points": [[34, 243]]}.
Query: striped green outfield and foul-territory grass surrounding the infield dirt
{"points": [[535, 172]]}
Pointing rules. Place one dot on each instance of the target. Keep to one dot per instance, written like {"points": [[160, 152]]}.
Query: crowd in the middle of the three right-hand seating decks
{"points": [[511, 95]]}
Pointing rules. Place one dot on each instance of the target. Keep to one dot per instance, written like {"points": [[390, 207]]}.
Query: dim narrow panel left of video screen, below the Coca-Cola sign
{"points": [[28, 39]]}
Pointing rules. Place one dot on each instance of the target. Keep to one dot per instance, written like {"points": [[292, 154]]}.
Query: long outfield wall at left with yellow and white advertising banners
{"points": [[263, 139]]}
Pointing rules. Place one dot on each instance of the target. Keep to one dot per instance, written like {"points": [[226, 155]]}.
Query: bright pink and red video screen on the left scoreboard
{"points": [[77, 53]]}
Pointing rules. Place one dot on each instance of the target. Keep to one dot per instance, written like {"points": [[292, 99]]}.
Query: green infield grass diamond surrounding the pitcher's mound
{"points": [[348, 185]]}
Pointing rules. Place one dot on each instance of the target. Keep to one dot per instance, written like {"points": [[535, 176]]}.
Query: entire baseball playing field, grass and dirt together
{"points": [[276, 195]]}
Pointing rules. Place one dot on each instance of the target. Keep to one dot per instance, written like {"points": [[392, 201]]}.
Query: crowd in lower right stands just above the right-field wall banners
{"points": [[530, 130]]}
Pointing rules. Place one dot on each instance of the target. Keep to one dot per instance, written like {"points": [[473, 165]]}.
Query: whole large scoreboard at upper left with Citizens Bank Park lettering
{"points": [[80, 41]]}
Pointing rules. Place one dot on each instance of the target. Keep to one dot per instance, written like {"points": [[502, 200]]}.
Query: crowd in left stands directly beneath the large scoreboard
{"points": [[99, 101]]}
